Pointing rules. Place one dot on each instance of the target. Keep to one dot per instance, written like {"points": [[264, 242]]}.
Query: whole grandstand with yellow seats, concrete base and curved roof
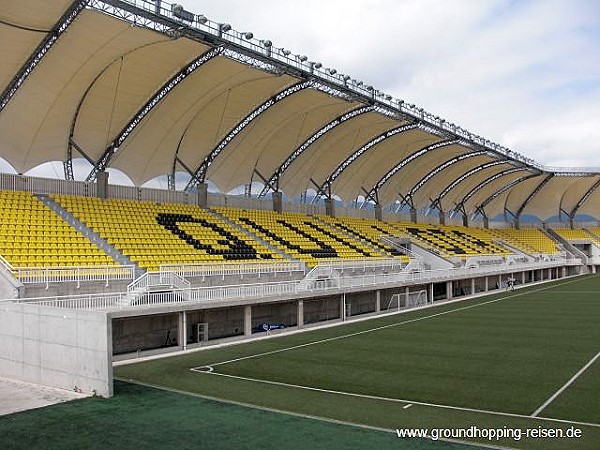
{"points": [[355, 204]]}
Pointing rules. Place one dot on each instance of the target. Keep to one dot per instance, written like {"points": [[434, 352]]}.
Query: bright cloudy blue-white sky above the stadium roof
{"points": [[524, 74]]}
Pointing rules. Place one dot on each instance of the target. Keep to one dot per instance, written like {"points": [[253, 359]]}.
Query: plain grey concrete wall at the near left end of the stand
{"points": [[66, 349]]}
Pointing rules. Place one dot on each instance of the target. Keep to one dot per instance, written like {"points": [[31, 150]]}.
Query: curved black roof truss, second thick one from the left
{"points": [[158, 96]]}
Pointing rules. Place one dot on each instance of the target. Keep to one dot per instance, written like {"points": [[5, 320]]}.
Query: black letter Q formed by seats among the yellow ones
{"points": [[237, 249]]}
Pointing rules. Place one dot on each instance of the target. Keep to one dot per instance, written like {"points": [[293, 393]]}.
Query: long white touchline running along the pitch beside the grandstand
{"points": [[344, 336]]}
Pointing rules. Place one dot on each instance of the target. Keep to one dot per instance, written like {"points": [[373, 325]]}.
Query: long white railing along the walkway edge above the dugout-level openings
{"points": [[274, 291]]}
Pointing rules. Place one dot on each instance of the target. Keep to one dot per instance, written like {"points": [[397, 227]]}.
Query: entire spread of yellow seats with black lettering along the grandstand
{"points": [[152, 234]]}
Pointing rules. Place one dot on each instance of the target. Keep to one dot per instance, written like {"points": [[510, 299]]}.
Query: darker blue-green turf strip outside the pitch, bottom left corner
{"points": [[138, 417]]}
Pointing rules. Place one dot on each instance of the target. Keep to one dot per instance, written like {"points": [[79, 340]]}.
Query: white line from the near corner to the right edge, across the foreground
{"points": [[398, 400]]}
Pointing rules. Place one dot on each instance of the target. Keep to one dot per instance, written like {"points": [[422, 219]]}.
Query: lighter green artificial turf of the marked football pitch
{"points": [[507, 356]]}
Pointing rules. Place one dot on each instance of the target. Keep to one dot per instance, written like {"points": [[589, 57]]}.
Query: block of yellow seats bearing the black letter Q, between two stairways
{"points": [[152, 234]]}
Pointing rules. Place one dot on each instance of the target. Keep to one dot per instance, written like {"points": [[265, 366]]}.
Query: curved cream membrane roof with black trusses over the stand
{"points": [[149, 91]]}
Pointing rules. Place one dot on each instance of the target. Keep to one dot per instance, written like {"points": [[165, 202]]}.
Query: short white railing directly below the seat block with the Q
{"points": [[241, 269]]}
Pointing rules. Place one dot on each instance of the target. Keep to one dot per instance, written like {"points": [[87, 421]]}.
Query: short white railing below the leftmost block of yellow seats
{"points": [[78, 274]]}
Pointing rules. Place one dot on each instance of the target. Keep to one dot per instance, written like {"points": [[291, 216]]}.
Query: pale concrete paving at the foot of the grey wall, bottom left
{"points": [[18, 396]]}
